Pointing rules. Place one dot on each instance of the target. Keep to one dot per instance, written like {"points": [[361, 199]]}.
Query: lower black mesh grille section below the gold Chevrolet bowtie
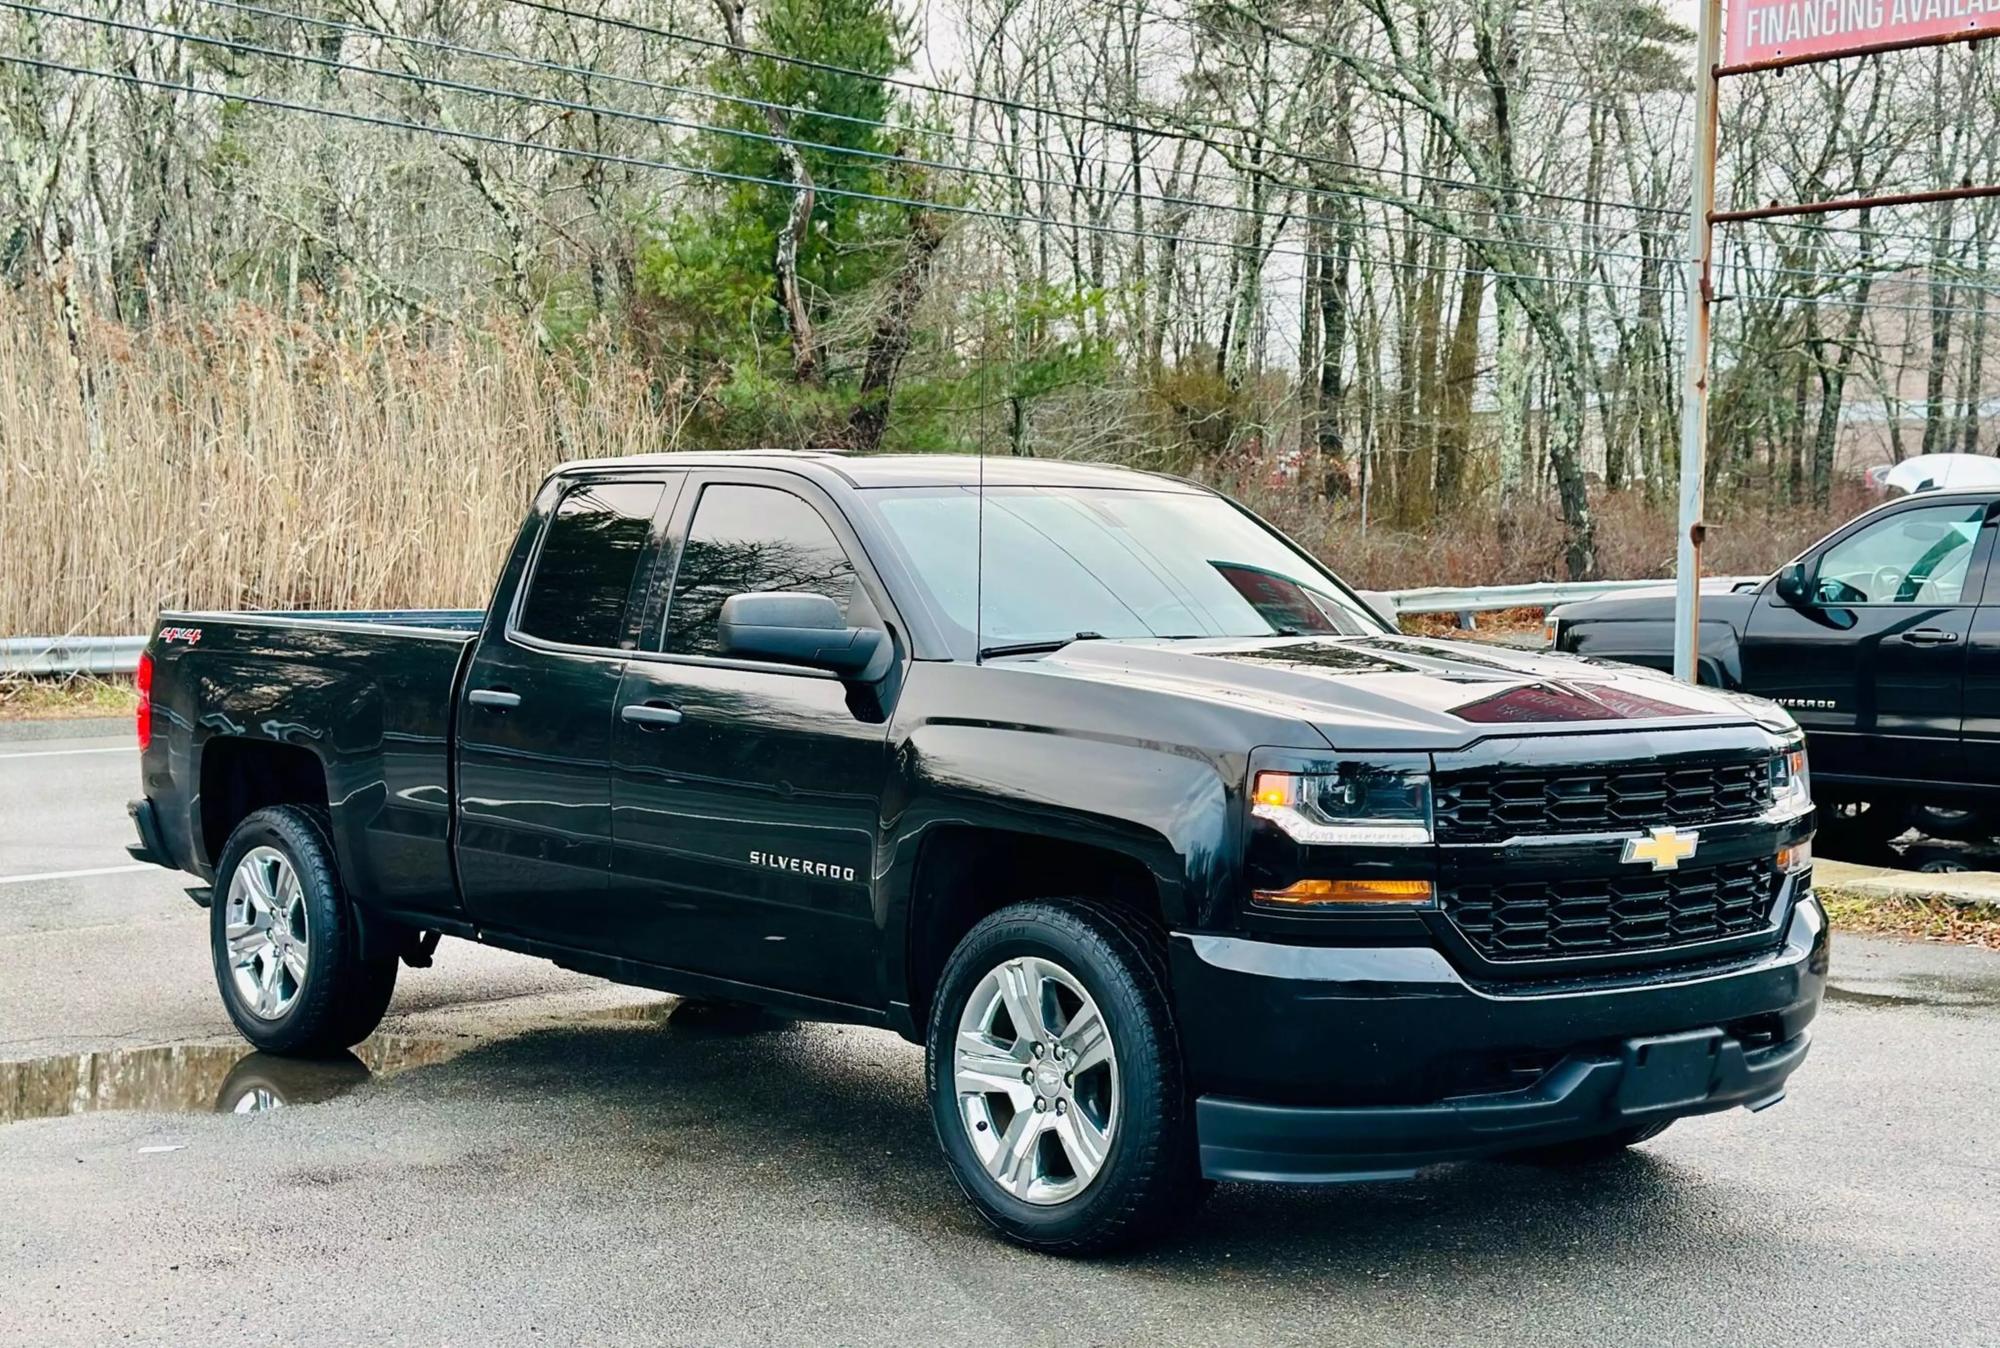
{"points": [[1625, 915]]}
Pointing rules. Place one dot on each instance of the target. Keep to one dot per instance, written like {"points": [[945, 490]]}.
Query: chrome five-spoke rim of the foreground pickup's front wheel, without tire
{"points": [[1037, 1081]]}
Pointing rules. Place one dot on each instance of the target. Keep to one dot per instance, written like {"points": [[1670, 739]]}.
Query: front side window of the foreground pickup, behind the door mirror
{"points": [[747, 541]]}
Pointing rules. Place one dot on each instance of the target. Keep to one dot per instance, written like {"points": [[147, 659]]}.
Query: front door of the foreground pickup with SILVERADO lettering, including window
{"points": [[747, 795]]}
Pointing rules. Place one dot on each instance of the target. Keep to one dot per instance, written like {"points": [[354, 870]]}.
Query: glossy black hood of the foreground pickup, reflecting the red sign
{"points": [[1407, 693]]}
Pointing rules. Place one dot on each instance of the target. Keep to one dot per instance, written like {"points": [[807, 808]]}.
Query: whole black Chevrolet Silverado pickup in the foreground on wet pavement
{"points": [[1173, 855]]}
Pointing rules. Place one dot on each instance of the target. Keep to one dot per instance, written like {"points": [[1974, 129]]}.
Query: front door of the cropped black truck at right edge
{"points": [[1873, 657]]}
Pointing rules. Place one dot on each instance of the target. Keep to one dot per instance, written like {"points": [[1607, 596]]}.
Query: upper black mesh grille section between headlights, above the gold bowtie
{"points": [[1505, 803]]}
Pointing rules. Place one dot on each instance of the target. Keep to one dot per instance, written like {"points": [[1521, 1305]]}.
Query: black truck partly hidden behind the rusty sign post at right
{"points": [[1883, 639]]}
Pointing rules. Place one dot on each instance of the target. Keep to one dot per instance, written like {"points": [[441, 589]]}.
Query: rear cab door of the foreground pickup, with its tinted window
{"points": [[535, 717]]}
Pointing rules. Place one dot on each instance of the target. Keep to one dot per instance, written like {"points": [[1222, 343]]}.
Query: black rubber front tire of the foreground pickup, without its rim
{"points": [[1151, 1175]]}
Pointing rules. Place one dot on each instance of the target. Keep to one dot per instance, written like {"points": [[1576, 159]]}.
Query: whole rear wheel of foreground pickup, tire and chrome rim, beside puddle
{"points": [[285, 945]]}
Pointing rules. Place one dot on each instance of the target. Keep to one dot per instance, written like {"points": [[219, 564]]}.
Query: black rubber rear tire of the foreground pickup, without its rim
{"points": [[343, 997]]}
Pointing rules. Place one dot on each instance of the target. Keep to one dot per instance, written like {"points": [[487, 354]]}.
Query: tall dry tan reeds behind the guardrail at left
{"points": [[251, 463]]}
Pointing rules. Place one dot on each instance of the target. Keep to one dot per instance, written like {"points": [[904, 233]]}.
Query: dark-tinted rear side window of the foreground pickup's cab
{"points": [[585, 567]]}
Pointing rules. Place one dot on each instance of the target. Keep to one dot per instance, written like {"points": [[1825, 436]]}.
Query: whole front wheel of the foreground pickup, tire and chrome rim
{"points": [[1055, 1079]]}
